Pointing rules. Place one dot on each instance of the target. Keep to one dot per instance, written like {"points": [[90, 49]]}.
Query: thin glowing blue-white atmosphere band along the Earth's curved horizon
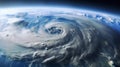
{"points": [[86, 8]]}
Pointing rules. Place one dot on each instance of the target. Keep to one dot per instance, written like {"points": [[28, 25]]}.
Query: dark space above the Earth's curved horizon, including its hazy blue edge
{"points": [[111, 6]]}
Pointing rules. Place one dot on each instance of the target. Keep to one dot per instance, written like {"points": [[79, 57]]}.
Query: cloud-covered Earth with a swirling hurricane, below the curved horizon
{"points": [[58, 37]]}
